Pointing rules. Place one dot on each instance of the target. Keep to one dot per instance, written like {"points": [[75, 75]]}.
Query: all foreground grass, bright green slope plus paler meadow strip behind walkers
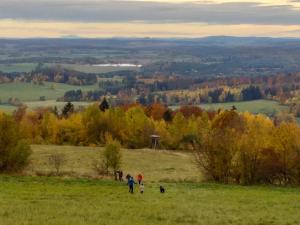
{"points": [[67, 201]]}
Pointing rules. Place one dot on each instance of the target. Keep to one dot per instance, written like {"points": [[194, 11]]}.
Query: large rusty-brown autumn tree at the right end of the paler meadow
{"points": [[219, 147]]}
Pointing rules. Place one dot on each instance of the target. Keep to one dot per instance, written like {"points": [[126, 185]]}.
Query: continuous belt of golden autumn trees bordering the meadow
{"points": [[229, 147]]}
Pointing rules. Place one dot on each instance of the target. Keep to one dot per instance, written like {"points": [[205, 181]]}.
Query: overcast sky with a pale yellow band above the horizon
{"points": [[149, 18]]}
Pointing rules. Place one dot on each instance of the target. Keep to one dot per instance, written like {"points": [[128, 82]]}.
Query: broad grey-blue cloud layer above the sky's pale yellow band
{"points": [[151, 12]]}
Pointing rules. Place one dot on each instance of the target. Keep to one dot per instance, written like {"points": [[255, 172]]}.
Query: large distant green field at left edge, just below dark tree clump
{"points": [[31, 92]]}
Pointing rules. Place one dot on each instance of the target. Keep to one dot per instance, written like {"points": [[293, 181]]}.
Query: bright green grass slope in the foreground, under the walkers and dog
{"points": [[54, 201]]}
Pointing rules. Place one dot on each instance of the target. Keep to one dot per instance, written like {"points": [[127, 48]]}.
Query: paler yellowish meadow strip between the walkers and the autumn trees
{"points": [[155, 165]]}
